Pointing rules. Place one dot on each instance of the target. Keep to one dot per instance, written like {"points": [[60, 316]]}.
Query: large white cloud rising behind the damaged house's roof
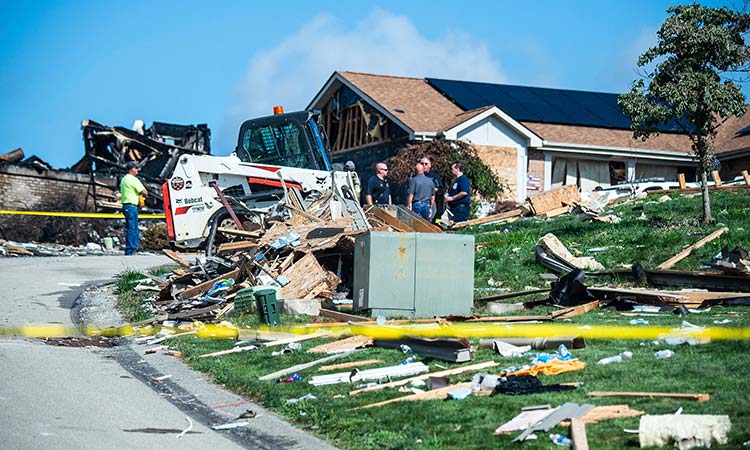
{"points": [[291, 73]]}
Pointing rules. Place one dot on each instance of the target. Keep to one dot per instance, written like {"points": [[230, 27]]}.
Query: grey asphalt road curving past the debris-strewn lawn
{"points": [[55, 397]]}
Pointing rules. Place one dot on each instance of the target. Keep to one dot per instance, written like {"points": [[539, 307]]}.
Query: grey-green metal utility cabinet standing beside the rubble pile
{"points": [[413, 274]]}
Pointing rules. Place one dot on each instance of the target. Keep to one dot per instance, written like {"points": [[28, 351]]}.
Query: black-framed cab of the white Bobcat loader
{"points": [[289, 140]]}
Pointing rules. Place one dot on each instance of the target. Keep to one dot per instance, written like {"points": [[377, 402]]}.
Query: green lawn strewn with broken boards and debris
{"points": [[717, 368]]}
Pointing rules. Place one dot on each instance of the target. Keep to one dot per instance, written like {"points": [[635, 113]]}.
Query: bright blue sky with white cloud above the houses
{"points": [[223, 62]]}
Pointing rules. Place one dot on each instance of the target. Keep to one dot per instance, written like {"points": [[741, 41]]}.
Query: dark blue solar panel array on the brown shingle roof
{"points": [[546, 105]]}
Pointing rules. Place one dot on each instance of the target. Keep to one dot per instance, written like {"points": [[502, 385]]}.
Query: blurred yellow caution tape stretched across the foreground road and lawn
{"points": [[468, 330]]}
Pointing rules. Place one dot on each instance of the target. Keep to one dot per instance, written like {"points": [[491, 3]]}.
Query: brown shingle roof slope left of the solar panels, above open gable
{"points": [[412, 100]]}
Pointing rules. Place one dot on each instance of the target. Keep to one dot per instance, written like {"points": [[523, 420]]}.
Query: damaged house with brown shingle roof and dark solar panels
{"points": [[535, 139]]}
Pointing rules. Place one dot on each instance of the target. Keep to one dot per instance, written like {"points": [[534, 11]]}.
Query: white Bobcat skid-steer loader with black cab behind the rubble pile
{"points": [[276, 157]]}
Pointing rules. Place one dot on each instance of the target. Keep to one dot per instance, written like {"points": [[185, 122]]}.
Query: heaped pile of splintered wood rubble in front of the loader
{"points": [[308, 256]]}
